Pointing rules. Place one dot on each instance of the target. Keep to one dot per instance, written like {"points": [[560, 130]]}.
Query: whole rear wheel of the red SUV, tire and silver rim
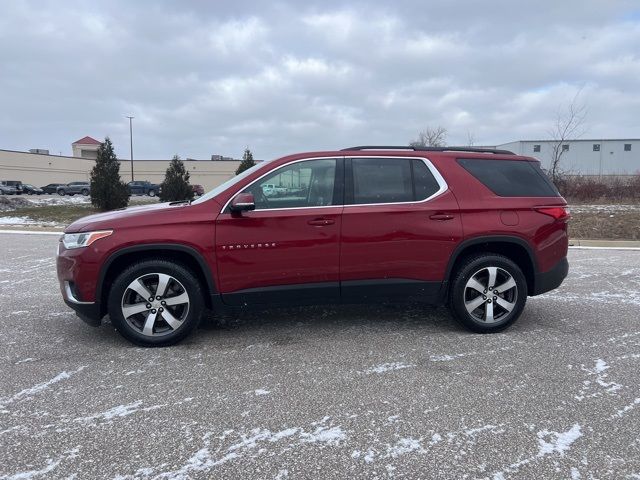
{"points": [[470, 288]]}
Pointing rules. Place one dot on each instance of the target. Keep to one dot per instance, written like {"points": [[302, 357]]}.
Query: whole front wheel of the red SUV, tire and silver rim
{"points": [[163, 331]]}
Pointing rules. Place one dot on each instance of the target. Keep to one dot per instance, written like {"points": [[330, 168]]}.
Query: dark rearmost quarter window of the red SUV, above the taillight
{"points": [[511, 178]]}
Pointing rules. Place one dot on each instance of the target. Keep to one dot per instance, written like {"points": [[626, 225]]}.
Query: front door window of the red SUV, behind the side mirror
{"points": [[303, 184]]}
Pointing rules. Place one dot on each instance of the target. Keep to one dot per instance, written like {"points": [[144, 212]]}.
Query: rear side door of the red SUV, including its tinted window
{"points": [[400, 225]]}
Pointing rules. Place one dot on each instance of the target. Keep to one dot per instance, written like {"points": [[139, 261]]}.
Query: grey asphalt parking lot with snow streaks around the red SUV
{"points": [[339, 392]]}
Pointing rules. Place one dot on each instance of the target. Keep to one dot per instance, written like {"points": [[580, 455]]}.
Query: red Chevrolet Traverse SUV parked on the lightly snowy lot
{"points": [[476, 229]]}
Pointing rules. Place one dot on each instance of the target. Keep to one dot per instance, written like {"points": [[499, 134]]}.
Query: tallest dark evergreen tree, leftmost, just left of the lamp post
{"points": [[108, 191]]}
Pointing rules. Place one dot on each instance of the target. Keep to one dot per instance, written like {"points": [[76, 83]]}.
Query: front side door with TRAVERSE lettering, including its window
{"points": [[287, 249]]}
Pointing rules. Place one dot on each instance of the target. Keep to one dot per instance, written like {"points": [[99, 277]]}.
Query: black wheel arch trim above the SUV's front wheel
{"points": [[183, 254]]}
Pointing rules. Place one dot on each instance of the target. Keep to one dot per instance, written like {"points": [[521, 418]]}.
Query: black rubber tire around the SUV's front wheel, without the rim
{"points": [[186, 279]]}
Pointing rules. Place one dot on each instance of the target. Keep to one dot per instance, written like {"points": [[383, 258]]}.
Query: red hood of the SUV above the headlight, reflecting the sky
{"points": [[126, 217]]}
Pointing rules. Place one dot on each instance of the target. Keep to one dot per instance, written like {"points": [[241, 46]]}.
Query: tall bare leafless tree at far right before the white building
{"points": [[569, 123]]}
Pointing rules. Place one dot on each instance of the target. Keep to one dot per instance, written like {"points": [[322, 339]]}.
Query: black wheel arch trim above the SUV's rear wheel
{"points": [[514, 248]]}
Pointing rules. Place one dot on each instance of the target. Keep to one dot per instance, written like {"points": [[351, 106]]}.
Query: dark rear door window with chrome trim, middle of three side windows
{"points": [[391, 180]]}
